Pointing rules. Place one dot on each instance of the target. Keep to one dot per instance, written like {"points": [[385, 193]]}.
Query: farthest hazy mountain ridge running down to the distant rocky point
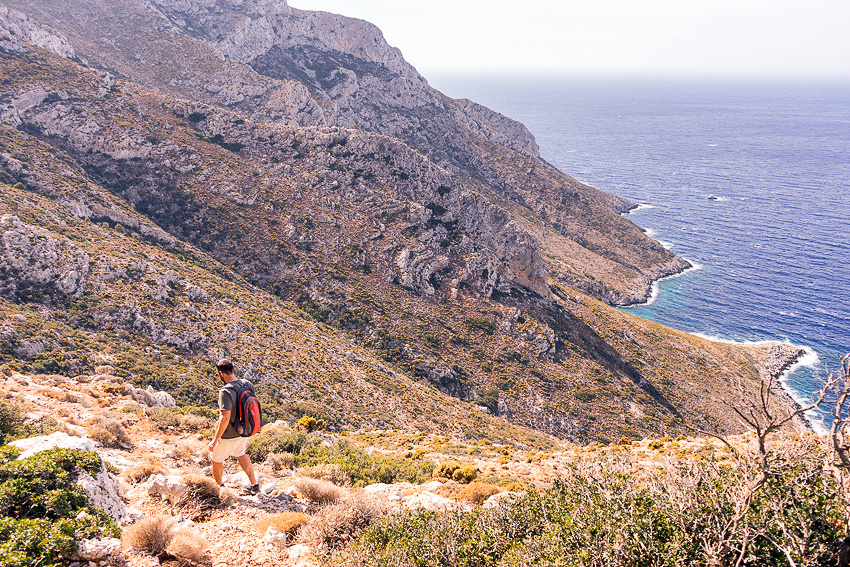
{"points": [[271, 63]]}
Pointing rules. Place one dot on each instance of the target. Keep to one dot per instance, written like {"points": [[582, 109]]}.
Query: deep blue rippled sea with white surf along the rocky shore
{"points": [[747, 179]]}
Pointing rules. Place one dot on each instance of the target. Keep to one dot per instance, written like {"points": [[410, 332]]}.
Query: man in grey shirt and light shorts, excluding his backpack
{"points": [[227, 442]]}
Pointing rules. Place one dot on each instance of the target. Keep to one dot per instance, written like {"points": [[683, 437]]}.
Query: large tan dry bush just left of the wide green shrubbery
{"points": [[336, 526]]}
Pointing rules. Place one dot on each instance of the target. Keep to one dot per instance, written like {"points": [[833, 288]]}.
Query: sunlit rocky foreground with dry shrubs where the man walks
{"points": [[390, 497]]}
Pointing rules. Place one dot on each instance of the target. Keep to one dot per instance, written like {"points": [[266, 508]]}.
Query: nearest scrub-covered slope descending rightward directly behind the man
{"points": [[86, 282]]}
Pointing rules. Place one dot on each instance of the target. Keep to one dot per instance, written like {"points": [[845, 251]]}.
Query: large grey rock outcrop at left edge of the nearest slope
{"points": [[32, 261]]}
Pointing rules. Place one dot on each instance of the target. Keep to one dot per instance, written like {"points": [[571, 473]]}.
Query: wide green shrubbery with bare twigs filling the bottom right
{"points": [[597, 515]]}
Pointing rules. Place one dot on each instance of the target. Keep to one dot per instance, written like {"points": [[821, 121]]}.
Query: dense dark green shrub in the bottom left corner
{"points": [[41, 508]]}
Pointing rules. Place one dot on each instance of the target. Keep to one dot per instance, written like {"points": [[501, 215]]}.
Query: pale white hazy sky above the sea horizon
{"points": [[742, 37]]}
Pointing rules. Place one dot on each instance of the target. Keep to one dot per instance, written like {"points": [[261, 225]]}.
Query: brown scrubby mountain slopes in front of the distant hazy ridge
{"points": [[358, 230]]}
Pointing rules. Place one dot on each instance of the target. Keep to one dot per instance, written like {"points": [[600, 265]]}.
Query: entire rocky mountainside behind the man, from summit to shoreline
{"points": [[185, 180]]}
